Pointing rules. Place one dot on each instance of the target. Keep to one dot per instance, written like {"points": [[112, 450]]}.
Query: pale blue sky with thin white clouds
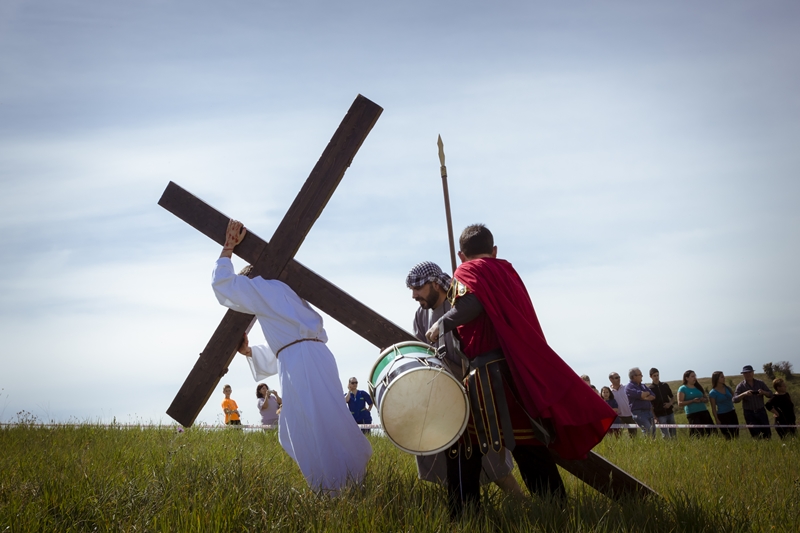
{"points": [[636, 161]]}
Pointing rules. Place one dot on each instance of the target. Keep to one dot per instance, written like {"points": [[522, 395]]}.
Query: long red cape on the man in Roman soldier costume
{"points": [[548, 387]]}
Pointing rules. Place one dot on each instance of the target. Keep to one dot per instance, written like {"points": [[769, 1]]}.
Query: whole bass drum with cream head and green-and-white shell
{"points": [[422, 406]]}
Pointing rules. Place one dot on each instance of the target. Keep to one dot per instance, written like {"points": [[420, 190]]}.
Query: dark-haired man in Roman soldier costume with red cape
{"points": [[492, 311]]}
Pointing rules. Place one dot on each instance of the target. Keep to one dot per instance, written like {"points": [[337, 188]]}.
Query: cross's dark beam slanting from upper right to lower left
{"points": [[309, 203]]}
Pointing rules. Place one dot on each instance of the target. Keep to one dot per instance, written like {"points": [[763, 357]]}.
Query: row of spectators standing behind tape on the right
{"points": [[649, 405]]}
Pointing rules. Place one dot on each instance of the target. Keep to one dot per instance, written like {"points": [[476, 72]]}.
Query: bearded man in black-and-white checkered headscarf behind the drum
{"points": [[429, 286]]}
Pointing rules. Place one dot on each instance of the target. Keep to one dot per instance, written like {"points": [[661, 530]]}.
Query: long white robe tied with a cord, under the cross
{"points": [[316, 428]]}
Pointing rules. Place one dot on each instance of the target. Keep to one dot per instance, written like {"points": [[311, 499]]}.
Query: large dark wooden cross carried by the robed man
{"points": [[274, 260]]}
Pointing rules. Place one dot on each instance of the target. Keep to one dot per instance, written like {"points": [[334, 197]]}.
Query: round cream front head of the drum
{"points": [[424, 411]]}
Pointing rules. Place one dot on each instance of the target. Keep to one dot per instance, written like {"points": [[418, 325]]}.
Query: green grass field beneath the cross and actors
{"points": [[93, 478]]}
